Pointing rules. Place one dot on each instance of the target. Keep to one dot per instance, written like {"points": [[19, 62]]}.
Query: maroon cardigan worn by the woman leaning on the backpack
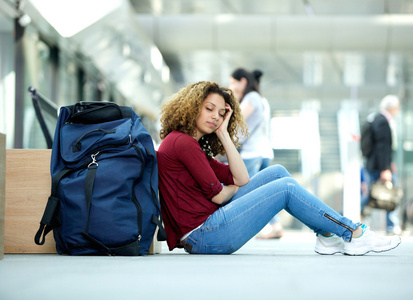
{"points": [[188, 180]]}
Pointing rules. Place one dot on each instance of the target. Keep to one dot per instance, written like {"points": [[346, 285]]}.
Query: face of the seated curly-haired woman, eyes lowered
{"points": [[211, 115]]}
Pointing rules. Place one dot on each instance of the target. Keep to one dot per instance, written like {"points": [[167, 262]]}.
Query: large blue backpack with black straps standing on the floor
{"points": [[104, 197]]}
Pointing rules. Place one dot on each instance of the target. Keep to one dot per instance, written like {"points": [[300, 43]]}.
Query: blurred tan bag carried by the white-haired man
{"points": [[384, 195]]}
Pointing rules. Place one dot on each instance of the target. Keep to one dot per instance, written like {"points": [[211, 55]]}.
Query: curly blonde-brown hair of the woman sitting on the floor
{"points": [[181, 111]]}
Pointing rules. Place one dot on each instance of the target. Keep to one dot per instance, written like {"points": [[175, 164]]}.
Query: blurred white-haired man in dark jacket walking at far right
{"points": [[380, 164]]}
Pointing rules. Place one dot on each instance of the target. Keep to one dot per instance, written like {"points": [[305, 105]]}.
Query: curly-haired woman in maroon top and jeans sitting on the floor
{"points": [[213, 208]]}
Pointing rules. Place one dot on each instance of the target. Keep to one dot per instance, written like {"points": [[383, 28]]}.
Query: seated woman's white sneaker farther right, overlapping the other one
{"points": [[370, 241]]}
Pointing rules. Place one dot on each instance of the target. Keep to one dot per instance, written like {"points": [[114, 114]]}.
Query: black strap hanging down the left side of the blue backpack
{"points": [[50, 218]]}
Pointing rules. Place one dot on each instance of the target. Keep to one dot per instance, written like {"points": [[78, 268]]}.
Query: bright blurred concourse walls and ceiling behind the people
{"points": [[326, 64]]}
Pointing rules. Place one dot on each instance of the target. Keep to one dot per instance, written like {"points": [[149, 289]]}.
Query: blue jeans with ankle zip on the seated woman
{"points": [[253, 206]]}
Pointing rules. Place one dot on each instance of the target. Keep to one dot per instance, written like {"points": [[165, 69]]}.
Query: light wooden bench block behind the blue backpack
{"points": [[28, 185]]}
